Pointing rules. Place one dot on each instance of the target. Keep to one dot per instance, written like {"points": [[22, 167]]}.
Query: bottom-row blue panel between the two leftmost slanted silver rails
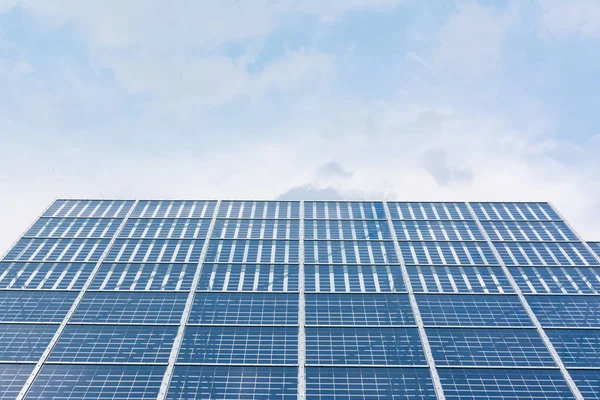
{"points": [[78, 382]]}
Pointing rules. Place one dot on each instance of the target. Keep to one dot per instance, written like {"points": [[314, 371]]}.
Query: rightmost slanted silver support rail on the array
{"points": [[528, 309]]}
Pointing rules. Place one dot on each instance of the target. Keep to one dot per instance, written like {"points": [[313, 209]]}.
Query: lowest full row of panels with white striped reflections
{"points": [[284, 278]]}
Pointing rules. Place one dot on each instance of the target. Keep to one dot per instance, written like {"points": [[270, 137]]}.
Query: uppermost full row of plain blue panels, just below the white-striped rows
{"points": [[281, 308]]}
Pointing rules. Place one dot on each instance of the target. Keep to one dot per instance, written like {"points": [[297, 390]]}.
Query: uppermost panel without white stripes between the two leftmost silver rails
{"points": [[143, 308]]}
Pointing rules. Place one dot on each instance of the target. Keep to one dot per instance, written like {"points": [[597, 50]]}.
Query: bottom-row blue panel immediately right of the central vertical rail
{"points": [[368, 383]]}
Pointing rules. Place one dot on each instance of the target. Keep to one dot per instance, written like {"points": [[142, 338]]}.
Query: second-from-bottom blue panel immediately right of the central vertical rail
{"points": [[364, 346]]}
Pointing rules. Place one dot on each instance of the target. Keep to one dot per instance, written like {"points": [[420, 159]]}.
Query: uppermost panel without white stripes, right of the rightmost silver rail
{"points": [[566, 311]]}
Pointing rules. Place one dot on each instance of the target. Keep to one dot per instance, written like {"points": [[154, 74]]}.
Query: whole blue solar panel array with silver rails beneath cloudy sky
{"points": [[111, 299]]}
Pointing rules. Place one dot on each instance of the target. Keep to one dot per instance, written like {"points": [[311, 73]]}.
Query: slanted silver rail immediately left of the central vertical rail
{"points": [[164, 386]]}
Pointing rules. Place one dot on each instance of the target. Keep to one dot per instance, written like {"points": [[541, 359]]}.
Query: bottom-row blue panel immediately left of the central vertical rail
{"points": [[221, 382]]}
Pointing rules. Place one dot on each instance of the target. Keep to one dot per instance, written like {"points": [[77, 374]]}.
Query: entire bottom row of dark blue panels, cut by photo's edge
{"points": [[220, 382]]}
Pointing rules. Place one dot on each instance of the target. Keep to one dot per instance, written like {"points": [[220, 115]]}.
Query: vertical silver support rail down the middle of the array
{"points": [[301, 311]]}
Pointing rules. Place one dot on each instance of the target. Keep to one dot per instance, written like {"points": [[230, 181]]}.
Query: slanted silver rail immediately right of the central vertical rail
{"points": [[437, 384]]}
